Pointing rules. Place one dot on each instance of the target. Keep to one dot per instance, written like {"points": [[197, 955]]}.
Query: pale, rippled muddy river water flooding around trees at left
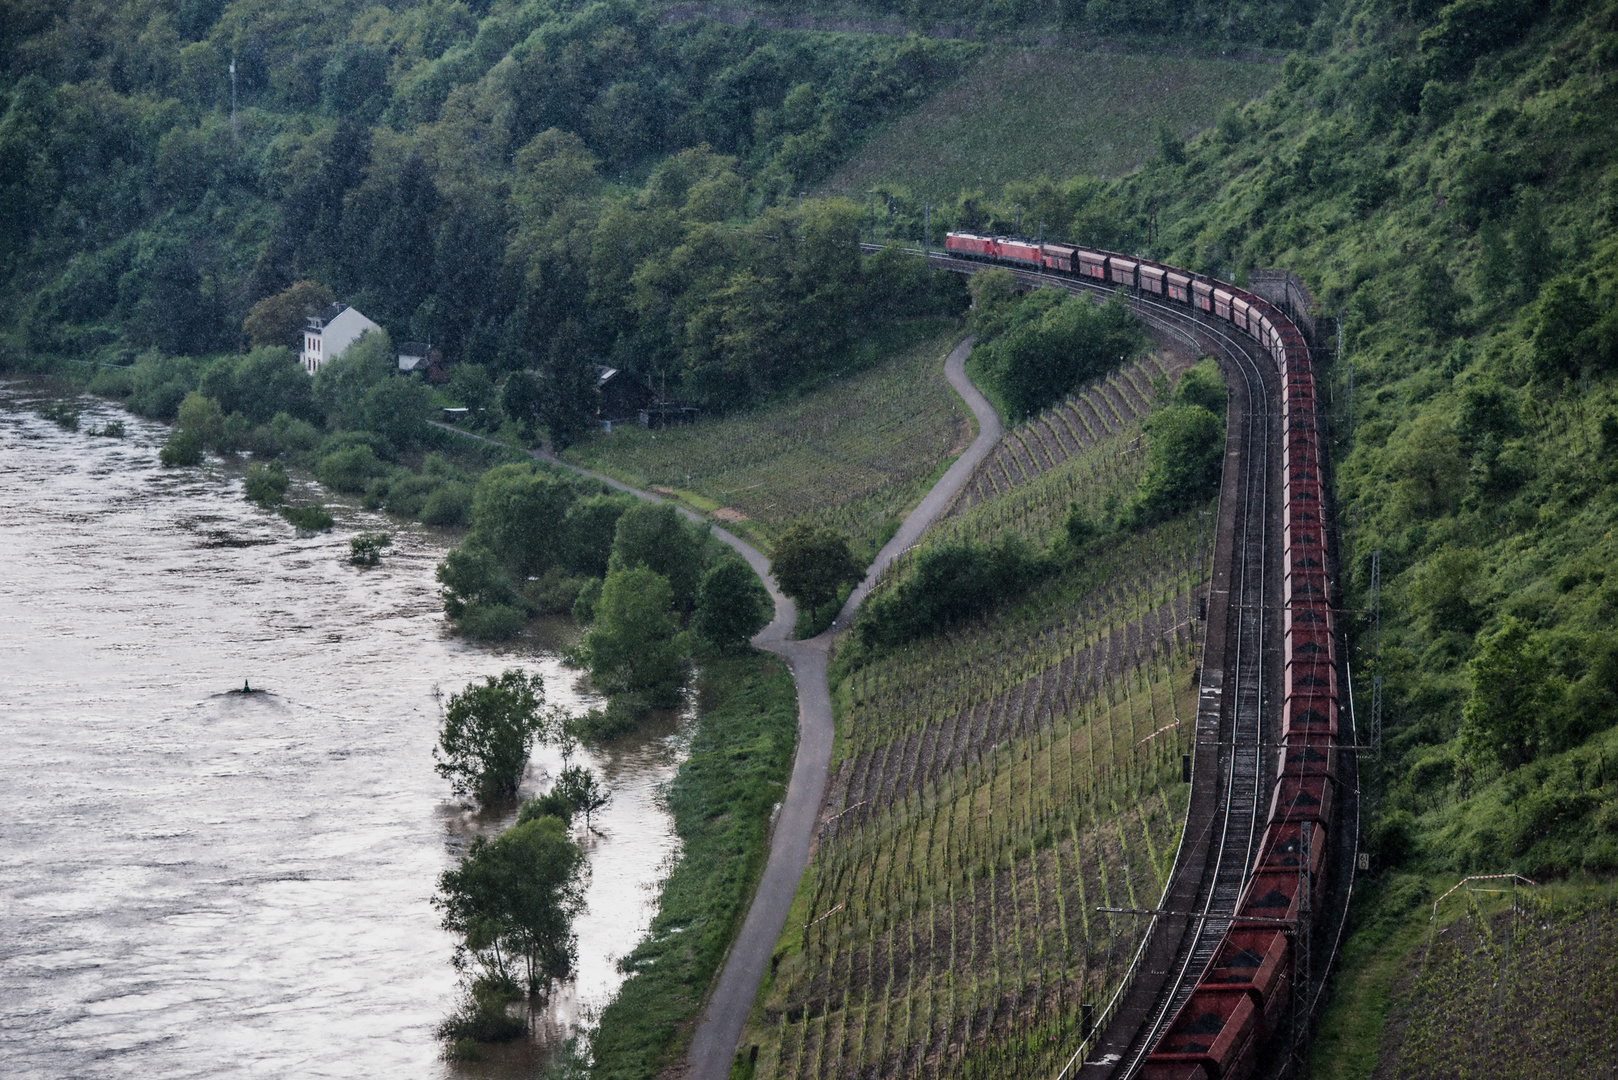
{"points": [[200, 883]]}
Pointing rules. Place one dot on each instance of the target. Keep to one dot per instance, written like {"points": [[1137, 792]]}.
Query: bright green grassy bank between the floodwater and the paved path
{"points": [[722, 797]]}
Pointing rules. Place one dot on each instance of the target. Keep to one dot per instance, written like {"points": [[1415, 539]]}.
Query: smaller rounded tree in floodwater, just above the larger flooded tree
{"points": [[488, 734]]}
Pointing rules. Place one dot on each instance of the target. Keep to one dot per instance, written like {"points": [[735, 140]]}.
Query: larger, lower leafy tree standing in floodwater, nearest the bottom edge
{"points": [[514, 899]]}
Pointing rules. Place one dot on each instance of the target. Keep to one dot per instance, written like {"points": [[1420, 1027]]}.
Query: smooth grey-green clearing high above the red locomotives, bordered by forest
{"points": [[1025, 113]]}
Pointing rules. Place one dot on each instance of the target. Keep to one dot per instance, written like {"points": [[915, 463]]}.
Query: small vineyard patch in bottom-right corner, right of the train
{"points": [[1523, 992]]}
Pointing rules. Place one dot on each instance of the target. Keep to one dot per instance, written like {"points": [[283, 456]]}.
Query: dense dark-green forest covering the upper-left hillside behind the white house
{"points": [[527, 187]]}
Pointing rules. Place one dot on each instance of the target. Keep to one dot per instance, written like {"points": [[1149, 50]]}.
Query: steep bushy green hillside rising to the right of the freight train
{"points": [[1444, 177]]}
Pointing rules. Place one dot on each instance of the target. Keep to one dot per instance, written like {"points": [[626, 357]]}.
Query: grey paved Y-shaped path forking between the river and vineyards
{"points": [[721, 1027]]}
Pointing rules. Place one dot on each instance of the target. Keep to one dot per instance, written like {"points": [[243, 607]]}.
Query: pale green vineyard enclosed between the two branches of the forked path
{"points": [[855, 454]]}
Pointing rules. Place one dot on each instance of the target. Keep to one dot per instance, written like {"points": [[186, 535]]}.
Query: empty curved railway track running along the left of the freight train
{"points": [[1240, 671]]}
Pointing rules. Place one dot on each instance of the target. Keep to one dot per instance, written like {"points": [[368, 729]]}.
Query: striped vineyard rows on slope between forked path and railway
{"points": [[996, 784]]}
